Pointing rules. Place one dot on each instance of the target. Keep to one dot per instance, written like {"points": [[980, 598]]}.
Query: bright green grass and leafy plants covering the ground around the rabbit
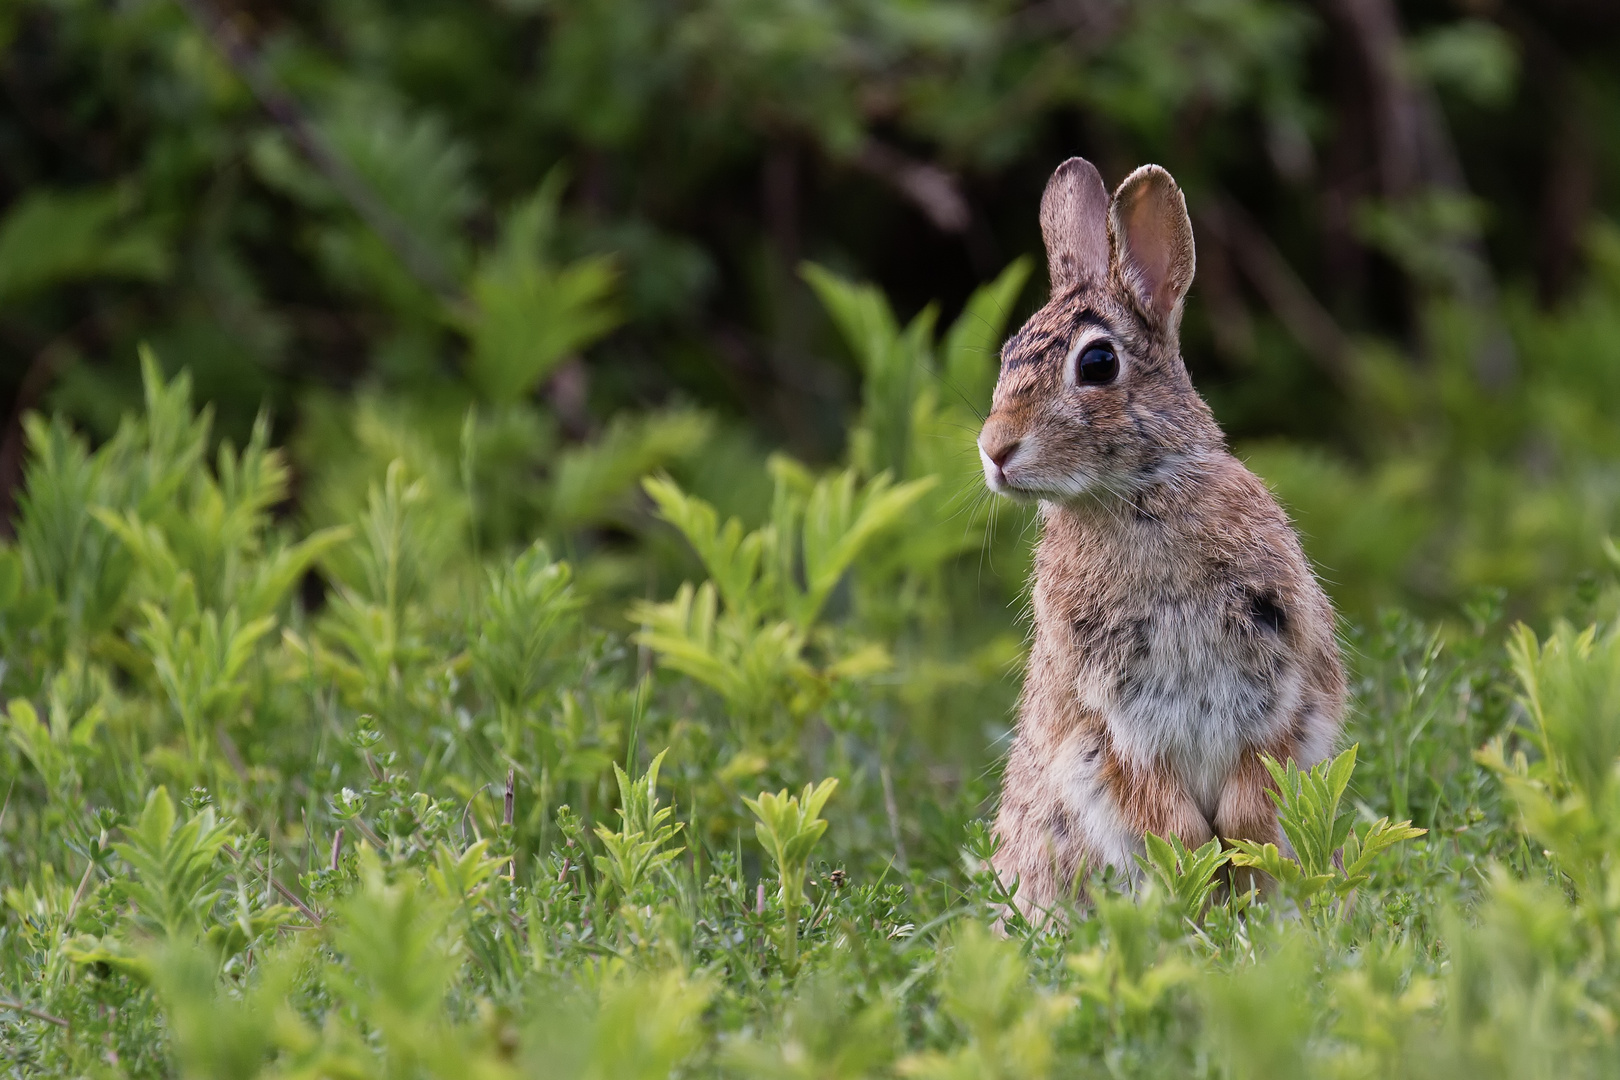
{"points": [[367, 794]]}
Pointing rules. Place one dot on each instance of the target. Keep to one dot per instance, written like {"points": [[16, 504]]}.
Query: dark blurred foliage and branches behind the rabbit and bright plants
{"points": [[561, 244]]}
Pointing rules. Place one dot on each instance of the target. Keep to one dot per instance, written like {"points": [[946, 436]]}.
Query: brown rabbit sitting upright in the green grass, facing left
{"points": [[1179, 631]]}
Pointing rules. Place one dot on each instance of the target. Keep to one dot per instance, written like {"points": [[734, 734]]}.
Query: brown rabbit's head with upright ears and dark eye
{"points": [[1093, 394]]}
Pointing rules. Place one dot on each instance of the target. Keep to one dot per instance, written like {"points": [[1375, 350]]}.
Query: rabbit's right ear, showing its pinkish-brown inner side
{"points": [[1153, 244]]}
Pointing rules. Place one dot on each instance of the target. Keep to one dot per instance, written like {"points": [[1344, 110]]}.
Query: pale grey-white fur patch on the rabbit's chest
{"points": [[1187, 684]]}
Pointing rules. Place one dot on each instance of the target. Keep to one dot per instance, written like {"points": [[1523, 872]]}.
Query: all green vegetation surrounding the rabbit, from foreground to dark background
{"points": [[500, 580]]}
